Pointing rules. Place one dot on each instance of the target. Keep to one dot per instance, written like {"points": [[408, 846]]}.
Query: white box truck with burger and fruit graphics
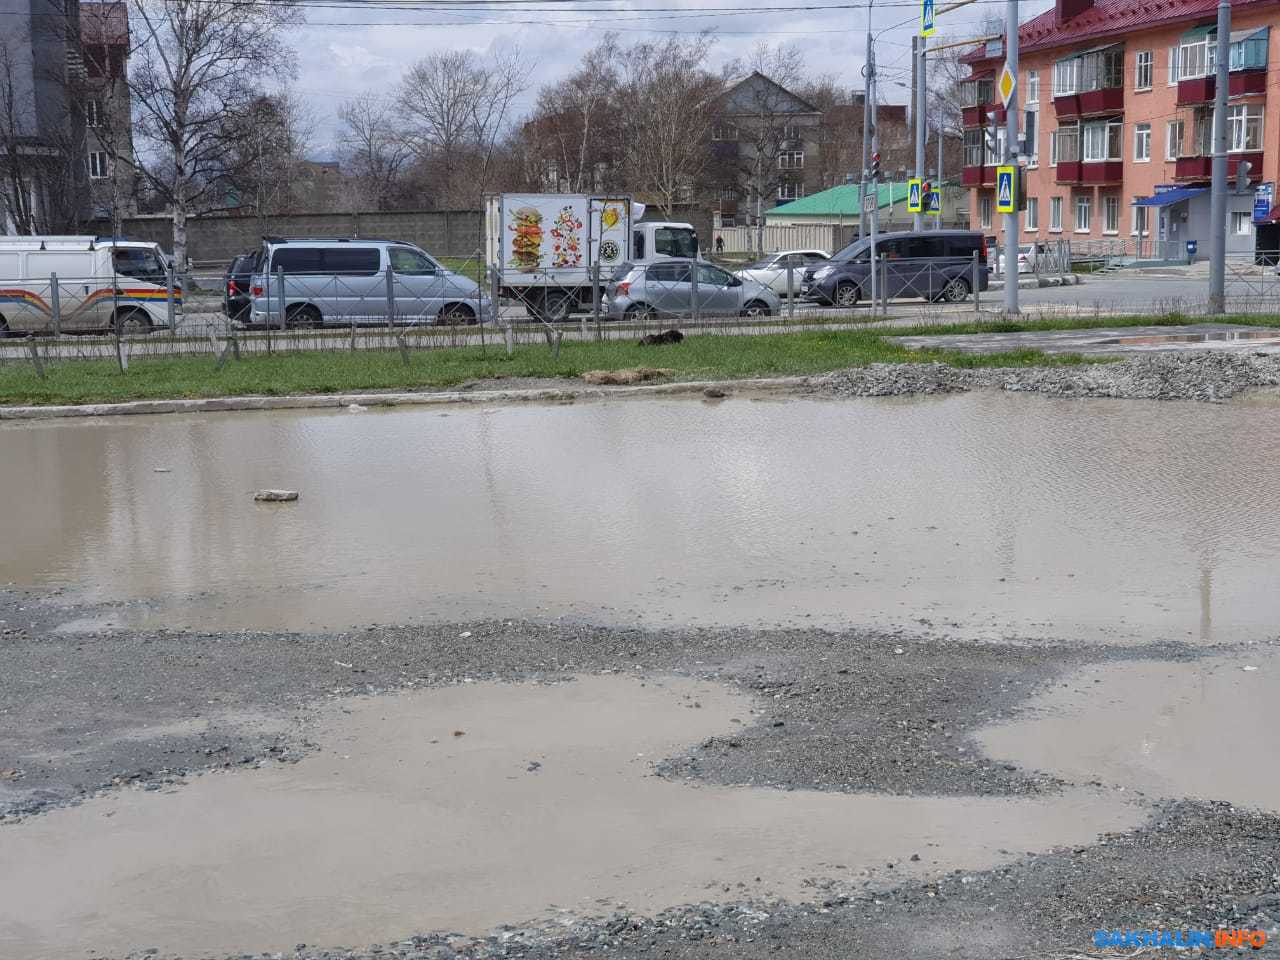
{"points": [[550, 250]]}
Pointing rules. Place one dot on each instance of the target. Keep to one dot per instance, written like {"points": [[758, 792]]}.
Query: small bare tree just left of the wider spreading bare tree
{"points": [[373, 152]]}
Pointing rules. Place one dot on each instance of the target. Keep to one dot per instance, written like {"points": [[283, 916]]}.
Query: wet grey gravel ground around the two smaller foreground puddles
{"points": [[835, 711]]}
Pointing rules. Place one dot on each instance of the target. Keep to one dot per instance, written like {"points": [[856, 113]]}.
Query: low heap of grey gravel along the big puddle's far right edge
{"points": [[1204, 376]]}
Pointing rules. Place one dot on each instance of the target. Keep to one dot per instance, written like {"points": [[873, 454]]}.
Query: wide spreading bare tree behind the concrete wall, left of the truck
{"points": [[458, 108]]}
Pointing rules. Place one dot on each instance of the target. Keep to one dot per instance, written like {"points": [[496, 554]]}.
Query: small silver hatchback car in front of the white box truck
{"points": [[666, 289]]}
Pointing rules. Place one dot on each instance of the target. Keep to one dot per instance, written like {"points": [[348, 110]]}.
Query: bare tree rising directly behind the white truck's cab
{"points": [[671, 102]]}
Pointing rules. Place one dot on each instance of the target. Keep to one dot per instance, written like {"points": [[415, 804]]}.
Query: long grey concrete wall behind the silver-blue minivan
{"points": [[447, 234]]}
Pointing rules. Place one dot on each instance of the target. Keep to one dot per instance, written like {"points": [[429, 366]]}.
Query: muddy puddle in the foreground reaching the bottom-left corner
{"points": [[474, 806]]}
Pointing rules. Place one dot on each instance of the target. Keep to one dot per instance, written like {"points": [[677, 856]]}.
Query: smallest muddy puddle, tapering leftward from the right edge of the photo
{"points": [[1201, 730]]}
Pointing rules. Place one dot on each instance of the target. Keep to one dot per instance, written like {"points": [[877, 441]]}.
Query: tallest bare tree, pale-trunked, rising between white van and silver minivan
{"points": [[195, 62]]}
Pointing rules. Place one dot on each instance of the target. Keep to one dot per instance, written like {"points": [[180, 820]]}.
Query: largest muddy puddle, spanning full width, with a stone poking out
{"points": [[980, 515]]}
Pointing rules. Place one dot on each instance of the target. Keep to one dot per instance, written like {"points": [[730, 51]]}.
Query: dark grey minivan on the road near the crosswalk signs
{"points": [[931, 264]]}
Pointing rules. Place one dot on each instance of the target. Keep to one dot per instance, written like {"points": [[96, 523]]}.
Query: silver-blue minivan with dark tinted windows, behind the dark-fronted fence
{"points": [[368, 282]]}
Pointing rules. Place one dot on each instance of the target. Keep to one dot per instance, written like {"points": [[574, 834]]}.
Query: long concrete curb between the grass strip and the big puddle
{"points": [[337, 401]]}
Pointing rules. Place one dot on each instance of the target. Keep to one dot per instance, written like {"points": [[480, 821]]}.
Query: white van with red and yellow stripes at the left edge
{"points": [[103, 285]]}
